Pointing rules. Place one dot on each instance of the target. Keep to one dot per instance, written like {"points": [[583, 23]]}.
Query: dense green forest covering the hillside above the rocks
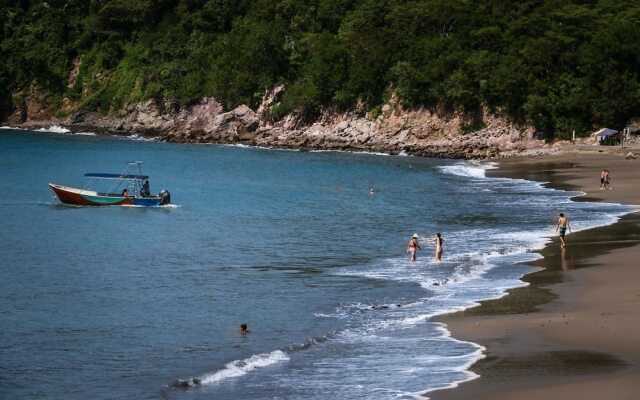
{"points": [[560, 65]]}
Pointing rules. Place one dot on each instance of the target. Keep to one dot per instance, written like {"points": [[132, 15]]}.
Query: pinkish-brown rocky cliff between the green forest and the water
{"points": [[420, 132]]}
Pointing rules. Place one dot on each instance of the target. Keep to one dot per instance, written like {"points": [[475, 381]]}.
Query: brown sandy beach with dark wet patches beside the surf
{"points": [[574, 332]]}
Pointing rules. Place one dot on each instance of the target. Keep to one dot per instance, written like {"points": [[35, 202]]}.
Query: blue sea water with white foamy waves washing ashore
{"points": [[119, 302]]}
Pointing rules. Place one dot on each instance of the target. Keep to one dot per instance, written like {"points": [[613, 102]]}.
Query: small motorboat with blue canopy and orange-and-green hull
{"points": [[125, 189]]}
